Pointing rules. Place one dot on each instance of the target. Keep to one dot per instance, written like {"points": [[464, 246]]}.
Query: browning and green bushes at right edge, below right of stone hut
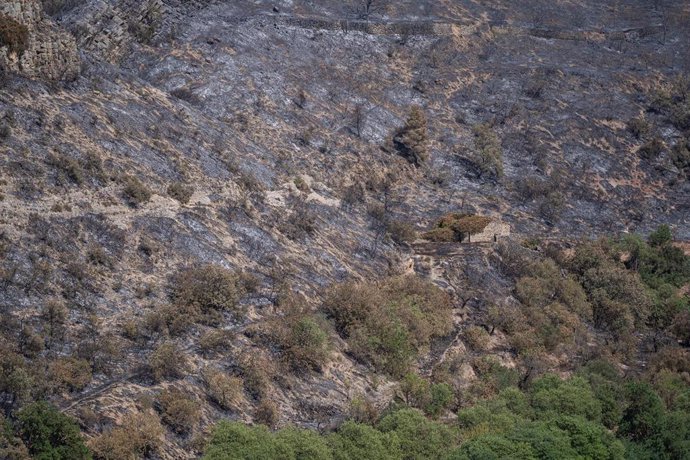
{"points": [[618, 286]]}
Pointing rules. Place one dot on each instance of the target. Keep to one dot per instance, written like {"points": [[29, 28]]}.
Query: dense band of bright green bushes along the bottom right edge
{"points": [[593, 414]]}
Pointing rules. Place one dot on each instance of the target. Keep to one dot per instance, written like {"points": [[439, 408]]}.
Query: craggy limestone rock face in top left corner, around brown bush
{"points": [[51, 53]]}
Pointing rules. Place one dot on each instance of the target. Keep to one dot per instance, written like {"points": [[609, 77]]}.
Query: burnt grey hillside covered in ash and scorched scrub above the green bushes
{"points": [[260, 137]]}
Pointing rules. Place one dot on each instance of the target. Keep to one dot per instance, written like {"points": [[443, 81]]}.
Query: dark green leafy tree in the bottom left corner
{"points": [[49, 434]]}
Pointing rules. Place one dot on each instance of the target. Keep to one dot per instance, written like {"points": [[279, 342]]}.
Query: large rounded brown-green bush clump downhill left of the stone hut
{"points": [[388, 323]]}
